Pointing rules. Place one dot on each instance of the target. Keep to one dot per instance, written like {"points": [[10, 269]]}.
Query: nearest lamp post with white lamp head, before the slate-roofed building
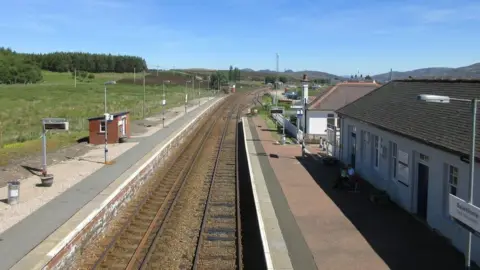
{"points": [[473, 106]]}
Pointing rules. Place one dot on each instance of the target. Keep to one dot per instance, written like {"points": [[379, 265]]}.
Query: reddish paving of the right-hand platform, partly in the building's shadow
{"points": [[345, 230]]}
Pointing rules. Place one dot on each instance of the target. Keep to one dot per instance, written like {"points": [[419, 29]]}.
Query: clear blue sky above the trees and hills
{"points": [[338, 36]]}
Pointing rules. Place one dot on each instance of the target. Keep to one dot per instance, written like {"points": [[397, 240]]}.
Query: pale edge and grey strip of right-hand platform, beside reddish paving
{"points": [[283, 243]]}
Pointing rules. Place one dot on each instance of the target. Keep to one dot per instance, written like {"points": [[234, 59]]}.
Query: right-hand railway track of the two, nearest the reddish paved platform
{"points": [[219, 242]]}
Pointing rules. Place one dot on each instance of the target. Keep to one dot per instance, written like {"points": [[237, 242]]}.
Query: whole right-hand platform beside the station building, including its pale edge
{"points": [[306, 224]]}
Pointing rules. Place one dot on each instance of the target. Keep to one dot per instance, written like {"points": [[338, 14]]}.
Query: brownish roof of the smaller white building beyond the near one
{"points": [[341, 94]]}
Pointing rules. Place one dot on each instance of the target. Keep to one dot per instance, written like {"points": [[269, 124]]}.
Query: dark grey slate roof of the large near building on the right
{"points": [[394, 107]]}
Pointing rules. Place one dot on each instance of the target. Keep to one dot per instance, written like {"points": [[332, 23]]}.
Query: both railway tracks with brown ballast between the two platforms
{"points": [[205, 171]]}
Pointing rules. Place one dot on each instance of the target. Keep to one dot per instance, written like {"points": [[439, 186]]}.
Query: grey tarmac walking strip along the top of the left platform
{"points": [[20, 239]]}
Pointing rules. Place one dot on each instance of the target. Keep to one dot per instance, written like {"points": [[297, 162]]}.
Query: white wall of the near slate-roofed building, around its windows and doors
{"points": [[406, 195]]}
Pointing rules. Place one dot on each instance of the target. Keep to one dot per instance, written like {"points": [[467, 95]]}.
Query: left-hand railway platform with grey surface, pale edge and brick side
{"points": [[50, 235]]}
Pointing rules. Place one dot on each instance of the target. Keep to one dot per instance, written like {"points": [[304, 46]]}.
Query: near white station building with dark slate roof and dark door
{"points": [[417, 152]]}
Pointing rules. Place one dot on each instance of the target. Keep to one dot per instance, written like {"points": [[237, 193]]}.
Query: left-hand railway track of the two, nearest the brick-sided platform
{"points": [[128, 247]]}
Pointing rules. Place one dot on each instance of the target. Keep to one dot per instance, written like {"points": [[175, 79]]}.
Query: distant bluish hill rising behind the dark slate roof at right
{"points": [[468, 72]]}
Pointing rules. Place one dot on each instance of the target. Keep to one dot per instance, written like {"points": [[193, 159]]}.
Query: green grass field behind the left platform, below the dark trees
{"points": [[23, 107]]}
